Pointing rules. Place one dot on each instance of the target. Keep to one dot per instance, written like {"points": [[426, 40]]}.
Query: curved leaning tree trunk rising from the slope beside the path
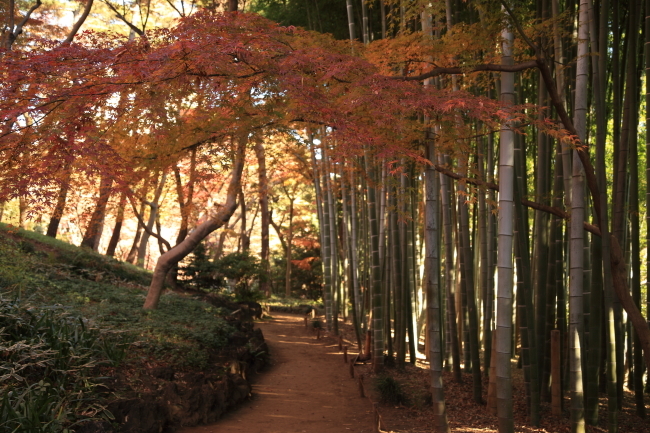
{"points": [[213, 222]]}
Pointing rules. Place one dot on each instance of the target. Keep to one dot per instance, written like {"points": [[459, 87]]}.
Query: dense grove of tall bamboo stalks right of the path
{"points": [[427, 260]]}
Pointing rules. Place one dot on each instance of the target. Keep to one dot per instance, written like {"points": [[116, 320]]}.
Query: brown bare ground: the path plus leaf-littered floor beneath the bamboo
{"points": [[309, 389]]}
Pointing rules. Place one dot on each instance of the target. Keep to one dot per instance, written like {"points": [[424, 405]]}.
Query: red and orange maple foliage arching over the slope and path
{"points": [[113, 106]]}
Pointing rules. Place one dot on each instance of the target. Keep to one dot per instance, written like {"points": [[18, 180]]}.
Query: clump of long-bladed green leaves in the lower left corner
{"points": [[49, 366]]}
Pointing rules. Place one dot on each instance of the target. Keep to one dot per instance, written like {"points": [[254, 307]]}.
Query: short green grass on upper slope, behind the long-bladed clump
{"points": [[43, 271]]}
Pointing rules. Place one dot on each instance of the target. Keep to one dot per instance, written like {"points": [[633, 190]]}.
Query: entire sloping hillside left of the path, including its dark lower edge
{"points": [[79, 354]]}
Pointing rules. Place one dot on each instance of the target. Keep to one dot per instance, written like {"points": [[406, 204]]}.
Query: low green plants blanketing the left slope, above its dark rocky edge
{"points": [[70, 317]]}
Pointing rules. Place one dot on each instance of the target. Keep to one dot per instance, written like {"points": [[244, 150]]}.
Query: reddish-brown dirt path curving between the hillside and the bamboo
{"points": [[307, 389]]}
